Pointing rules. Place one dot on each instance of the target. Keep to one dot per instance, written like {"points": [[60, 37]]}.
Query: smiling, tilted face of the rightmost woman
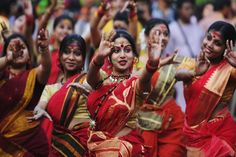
{"points": [[213, 45]]}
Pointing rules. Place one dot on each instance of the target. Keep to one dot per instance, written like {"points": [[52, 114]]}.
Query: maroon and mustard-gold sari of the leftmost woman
{"points": [[14, 127]]}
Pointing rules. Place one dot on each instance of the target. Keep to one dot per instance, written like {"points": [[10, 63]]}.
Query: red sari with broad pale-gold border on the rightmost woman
{"points": [[212, 136]]}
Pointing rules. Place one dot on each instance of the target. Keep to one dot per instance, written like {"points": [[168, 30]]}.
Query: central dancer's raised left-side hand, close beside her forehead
{"points": [[106, 44]]}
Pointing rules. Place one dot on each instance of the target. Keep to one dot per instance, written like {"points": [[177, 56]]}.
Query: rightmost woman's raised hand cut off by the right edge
{"points": [[230, 53]]}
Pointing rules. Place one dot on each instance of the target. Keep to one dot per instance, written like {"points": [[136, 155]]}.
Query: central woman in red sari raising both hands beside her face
{"points": [[113, 104]]}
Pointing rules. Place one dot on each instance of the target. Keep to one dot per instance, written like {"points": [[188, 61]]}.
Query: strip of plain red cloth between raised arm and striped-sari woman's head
{"points": [[55, 70]]}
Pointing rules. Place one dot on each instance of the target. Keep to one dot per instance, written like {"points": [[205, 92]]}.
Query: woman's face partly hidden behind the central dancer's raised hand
{"points": [[163, 32]]}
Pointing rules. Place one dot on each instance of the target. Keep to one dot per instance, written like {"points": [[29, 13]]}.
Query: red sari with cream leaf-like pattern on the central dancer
{"points": [[112, 116]]}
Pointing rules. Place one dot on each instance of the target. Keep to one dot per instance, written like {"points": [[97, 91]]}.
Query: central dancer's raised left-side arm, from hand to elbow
{"points": [[104, 50]]}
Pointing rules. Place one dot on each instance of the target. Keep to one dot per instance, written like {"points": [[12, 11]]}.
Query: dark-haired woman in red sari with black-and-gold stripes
{"points": [[63, 105]]}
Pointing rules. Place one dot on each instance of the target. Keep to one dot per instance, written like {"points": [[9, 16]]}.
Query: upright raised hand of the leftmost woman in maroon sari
{"points": [[43, 40]]}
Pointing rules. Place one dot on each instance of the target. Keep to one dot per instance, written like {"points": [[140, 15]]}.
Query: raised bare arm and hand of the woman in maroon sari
{"points": [[43, 70]]}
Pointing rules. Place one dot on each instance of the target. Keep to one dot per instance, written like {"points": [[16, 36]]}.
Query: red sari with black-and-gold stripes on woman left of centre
{"points": [[62, 107]]}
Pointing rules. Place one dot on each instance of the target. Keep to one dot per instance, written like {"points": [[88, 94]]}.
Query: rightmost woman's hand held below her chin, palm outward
{"points": [[202, 64]]}
